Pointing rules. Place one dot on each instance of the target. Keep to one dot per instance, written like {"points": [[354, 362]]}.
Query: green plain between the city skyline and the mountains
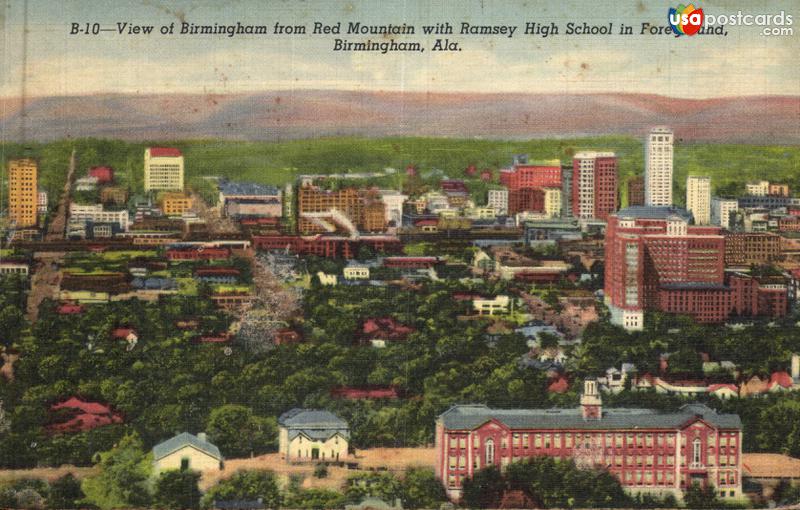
{"points": [[729, 166]]}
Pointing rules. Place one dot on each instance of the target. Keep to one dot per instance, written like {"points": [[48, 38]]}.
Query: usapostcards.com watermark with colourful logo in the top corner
{"points": [[690, 20]]}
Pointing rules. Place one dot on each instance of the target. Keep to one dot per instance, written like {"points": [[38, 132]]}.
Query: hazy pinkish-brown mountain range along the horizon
{"points": [[282, 115]]}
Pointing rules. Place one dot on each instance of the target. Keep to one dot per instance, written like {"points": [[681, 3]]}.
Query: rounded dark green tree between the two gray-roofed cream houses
{"points": [[238, 432]]}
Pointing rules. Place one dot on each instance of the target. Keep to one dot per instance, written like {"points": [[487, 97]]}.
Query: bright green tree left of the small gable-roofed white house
{"points": [[124, 475]]}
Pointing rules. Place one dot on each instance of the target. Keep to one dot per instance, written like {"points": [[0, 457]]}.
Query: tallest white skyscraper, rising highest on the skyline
{"points": [[658, 167]]}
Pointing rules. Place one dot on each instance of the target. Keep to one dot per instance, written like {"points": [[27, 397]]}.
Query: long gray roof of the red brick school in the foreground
{"points": [[469, 417]]}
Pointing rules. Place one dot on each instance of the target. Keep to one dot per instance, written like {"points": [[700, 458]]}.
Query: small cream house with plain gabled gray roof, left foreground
{"points": [[187, 451]]}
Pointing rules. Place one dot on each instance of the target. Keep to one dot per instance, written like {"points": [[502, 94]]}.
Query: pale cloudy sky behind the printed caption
{"points": [[742, 63]]}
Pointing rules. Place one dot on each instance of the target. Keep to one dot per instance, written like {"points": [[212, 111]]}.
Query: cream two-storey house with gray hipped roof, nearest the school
{"points": [[312, 435]]}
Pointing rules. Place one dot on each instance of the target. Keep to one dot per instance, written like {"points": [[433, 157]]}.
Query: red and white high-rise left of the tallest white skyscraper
{"points": [[594, 185]]}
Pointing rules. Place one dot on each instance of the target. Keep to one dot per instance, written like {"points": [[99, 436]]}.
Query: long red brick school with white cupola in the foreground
{"points": [[649, 451]]}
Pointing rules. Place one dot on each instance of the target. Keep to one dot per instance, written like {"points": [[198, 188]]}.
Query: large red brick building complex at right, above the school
{"points": [[656, 260]]}
